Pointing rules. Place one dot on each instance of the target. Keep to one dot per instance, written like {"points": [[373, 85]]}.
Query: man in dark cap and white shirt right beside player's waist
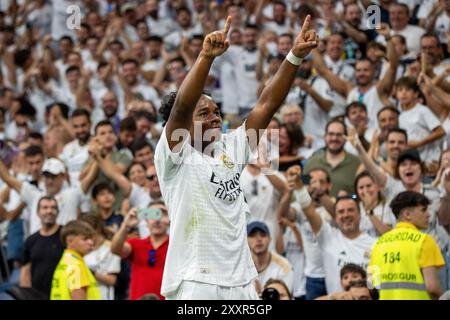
{"points": [[269, 264]]}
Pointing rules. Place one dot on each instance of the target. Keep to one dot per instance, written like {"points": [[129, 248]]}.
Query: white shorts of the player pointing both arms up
{"points": [[193, 290]]}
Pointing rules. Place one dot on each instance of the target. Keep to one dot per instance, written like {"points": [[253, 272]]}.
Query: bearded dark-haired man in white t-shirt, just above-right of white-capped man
{"points": [[75, 153]]}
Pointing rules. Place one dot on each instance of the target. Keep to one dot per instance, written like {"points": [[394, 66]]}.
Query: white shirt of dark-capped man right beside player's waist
{"points": [[278, 268]]}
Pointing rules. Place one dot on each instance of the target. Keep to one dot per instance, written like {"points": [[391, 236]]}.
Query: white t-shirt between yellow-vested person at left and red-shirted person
{"points": [[102, 260]]}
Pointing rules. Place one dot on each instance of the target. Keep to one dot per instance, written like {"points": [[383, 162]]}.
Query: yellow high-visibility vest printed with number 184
{"points": [[395, 268]]}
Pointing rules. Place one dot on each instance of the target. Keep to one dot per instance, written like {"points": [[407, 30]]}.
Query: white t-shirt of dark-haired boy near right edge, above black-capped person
{"points": [[418, 122]]}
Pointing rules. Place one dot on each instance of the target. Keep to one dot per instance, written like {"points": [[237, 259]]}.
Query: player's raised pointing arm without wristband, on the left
{"points": [[214, 45]]}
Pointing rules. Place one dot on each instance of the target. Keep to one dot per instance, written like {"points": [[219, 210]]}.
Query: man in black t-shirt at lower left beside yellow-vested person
{"points": [[43, 249]]}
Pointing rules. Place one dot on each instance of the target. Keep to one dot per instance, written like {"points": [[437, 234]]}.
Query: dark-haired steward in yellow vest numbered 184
{"points": [[404, 261]]}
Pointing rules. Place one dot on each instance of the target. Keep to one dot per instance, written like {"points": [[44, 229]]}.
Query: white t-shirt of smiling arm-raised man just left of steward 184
{"points": [[338, 250]]}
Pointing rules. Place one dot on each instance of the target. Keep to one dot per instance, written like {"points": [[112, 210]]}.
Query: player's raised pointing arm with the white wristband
{"points": [[276, 91]]}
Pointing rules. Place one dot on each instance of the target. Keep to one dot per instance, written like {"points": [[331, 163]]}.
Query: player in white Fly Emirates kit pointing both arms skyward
{"points": [[208, 256]]}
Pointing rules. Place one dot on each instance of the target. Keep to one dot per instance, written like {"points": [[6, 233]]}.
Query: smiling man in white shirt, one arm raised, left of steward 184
{"points": [[339, 245]]}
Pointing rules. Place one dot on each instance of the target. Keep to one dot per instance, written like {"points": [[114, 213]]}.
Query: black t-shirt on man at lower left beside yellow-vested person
{"points": [[44, 254]]}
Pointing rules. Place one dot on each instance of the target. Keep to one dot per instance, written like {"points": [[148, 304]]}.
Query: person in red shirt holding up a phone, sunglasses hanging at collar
{"points": [[147, 256]]}
